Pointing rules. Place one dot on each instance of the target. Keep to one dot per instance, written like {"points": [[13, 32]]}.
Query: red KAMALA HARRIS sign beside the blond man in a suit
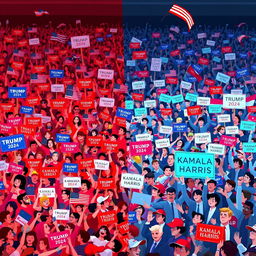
{"points": [[210, 233]]}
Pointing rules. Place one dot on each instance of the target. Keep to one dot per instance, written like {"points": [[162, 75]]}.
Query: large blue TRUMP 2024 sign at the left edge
{"points": [[12, 143]]}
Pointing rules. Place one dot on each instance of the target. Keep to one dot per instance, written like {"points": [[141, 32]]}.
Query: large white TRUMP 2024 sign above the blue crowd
{"points": [[232, 101]]}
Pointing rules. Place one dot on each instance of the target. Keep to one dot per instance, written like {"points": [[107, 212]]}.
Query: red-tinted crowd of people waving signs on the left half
{"points": [[60, 195]]}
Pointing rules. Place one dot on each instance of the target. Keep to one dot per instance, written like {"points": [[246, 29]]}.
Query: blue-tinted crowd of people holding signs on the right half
{"points": [[177, 100]]}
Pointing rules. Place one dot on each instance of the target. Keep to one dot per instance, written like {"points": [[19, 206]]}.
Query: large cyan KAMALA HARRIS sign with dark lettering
{"points": [[194, 165]]}
